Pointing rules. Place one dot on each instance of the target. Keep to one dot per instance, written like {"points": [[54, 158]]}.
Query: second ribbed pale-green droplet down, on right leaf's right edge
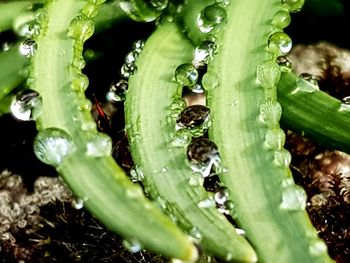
{"points": [[270, 113]]}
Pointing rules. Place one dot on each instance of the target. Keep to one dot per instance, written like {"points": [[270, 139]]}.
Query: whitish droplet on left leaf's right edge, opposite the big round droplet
{"points": [[99, 145]]}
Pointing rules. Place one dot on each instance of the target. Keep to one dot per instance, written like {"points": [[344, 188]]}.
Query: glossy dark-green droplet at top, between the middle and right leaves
{"points": [[211, 17]]}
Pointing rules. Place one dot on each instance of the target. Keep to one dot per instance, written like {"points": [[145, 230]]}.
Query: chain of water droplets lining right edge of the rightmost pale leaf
{"points": [[268, 74]]}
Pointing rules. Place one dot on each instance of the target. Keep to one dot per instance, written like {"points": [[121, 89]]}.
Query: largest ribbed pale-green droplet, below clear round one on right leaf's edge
{"points": [[268, 74]]}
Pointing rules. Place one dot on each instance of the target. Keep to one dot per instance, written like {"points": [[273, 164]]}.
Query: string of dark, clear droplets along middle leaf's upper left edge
{"points": [[117, 91]]}
